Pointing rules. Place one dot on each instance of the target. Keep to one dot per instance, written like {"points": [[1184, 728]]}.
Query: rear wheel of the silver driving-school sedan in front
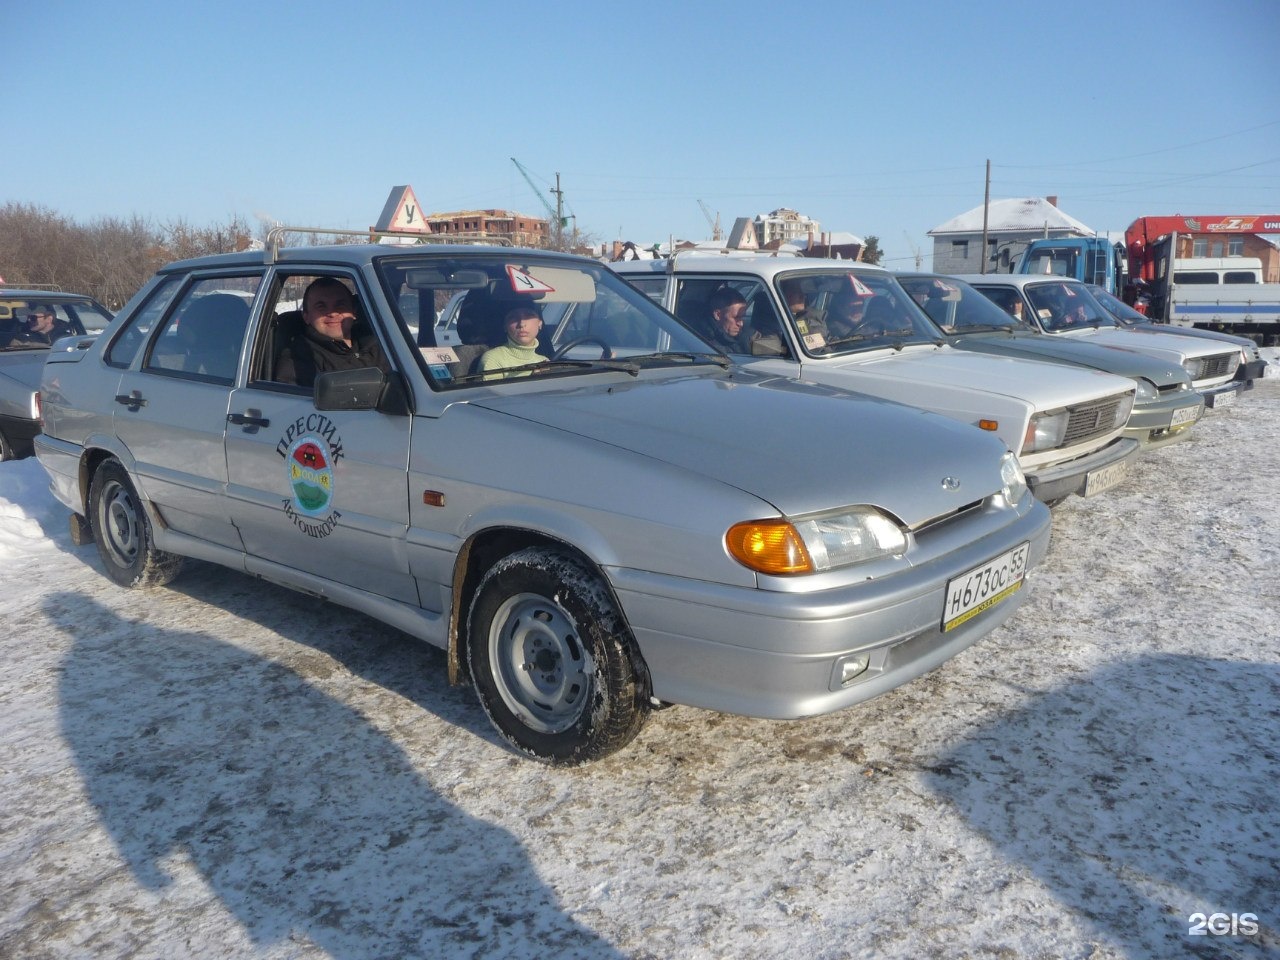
{"points": [[124, 533]]}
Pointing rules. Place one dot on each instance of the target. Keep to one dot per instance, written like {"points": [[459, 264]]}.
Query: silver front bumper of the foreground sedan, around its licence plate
{"points": [[764, 653]]}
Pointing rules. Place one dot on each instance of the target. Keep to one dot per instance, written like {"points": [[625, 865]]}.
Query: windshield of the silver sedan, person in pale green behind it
{"points": [[514, 316]]}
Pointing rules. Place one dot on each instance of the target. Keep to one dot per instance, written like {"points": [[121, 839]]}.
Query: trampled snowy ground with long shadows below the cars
{"points": [[218, 769]]}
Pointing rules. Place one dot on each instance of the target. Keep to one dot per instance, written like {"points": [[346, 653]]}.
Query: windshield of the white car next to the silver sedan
{"points": [[835, 313]]}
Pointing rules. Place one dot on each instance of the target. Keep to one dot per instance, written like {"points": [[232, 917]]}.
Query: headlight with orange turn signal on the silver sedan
{"points": [[815, 545]]}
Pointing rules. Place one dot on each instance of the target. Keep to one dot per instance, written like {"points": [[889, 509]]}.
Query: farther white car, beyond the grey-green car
{"points": [[1064, 308]]}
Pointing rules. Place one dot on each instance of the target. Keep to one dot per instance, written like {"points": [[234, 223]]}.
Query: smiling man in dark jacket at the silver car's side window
{"points": [[328, 342]]}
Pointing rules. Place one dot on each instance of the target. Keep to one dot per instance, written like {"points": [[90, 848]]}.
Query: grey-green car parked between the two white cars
{"points": [[1165, 405]]}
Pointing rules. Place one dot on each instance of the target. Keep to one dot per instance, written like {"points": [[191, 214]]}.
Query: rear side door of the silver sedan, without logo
{"points": [[171, 404]]}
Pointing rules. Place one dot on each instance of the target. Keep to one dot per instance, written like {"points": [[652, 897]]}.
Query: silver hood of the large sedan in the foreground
{"points": [[801, 447]]}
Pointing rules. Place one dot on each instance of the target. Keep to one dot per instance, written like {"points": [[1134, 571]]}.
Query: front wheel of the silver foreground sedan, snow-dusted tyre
{"points": [[552, 659]]}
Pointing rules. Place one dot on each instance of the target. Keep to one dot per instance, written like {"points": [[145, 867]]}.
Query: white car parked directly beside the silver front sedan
{"points": [[1066, 426]]}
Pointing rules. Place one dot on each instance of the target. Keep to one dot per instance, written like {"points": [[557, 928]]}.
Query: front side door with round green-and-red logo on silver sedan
{"points": [[322, 493]]}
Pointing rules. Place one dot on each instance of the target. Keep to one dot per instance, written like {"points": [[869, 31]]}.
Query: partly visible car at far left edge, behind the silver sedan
{"points": [[30, 324]]}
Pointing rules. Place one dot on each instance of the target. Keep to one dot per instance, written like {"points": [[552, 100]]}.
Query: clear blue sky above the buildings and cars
{"points": [[871, 118]]}
